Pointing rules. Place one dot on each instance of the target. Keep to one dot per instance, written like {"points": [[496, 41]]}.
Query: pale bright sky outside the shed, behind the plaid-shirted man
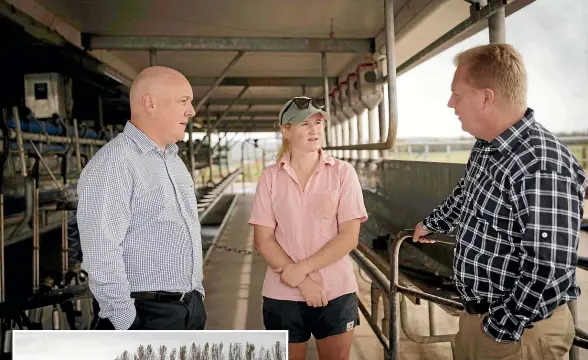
{"points": [[550, 35]]}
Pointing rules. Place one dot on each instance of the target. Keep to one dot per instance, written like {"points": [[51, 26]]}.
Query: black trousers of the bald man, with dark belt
{"points": [[188, 314]]}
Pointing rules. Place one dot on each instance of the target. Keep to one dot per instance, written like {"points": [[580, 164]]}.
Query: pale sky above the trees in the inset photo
{"points": [[107, 345]]}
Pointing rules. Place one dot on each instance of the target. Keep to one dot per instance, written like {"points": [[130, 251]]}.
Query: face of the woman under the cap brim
{"points": [[306, 136]]}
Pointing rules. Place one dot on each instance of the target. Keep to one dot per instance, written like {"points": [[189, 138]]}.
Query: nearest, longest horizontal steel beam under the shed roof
{"points": [[249, 44]]}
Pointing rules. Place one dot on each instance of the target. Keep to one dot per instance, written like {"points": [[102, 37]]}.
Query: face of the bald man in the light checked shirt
{"points": [[175, 109]]}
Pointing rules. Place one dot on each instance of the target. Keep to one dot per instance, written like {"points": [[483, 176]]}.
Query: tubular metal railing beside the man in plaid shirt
{"points": [[397, 288]]}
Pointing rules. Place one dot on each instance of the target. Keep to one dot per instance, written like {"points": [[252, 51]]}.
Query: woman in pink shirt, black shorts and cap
{"points": [[307, 212]]}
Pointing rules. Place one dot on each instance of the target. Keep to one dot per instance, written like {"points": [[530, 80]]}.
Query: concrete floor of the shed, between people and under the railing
{"points": [[233, 300]]}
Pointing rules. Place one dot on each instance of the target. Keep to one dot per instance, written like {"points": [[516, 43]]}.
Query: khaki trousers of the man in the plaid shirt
{"points": [[549, 339]]}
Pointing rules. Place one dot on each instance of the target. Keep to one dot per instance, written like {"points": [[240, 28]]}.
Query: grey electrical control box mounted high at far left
{"points": [[47, 94]]}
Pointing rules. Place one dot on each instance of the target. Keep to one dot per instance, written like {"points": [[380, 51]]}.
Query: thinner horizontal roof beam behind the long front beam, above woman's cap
{"points": [[261, 81]]}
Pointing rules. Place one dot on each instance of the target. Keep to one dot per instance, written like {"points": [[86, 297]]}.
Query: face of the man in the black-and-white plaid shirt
{"points": [[468, 103]]}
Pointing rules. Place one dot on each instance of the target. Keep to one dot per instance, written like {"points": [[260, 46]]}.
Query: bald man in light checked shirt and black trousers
{"points": [[138, 218]]}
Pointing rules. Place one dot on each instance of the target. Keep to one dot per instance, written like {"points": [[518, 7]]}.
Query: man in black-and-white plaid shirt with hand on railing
{"points": [[517, 211]]}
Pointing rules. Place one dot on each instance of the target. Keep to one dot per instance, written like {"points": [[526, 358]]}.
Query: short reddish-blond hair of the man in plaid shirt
{"points": [[498, 67]]}
